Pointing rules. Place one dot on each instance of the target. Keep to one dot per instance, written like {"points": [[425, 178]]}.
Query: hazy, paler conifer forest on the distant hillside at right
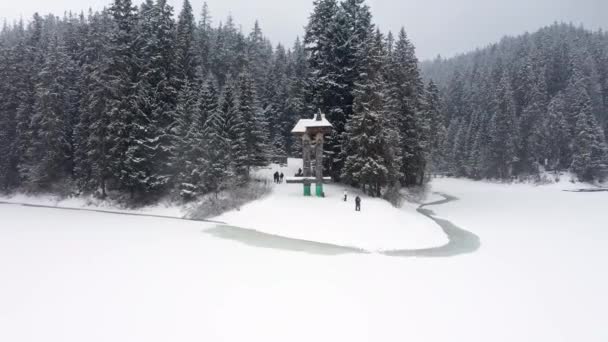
{"points": [[528, 104]]}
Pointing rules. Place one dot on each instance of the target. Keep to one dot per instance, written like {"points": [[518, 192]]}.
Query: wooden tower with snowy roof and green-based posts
{"points": [[312, 132]]}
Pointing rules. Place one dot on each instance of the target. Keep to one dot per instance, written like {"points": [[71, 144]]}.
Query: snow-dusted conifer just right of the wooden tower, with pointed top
{"points": [[371, 158]]}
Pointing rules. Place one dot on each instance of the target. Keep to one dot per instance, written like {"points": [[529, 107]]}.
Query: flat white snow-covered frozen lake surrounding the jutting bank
{"points": [[539, 275]]}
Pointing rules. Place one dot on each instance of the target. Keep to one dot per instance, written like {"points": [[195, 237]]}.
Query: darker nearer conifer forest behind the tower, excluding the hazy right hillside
{"points": [[139, 100]]}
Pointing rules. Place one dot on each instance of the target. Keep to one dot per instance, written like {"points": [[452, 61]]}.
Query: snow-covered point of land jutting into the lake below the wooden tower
{"points": [[378, 226]]}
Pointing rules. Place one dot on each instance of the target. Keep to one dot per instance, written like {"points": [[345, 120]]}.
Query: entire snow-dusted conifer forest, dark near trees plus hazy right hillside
{"points": [[139, 100]]}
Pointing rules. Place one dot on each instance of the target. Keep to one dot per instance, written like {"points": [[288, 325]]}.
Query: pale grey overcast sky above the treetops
{"points": [[445, 27]]}
